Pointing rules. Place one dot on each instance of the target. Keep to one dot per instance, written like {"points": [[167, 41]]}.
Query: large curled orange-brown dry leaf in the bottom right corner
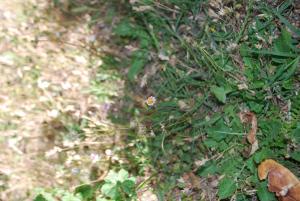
{"points": [[280, 180]]}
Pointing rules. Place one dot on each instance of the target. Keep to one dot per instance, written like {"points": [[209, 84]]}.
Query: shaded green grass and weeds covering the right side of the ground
{"points": [[205, 62]]}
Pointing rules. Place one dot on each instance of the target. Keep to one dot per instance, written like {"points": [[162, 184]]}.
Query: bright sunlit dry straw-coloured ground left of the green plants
{"points": [[43, 95]]}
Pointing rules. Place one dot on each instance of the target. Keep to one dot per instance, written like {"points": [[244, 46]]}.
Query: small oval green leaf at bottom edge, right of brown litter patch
{"points": [[227, 187]]}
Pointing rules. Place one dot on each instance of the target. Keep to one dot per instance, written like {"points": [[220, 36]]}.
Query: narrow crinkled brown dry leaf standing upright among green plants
{"points": [[250, 118]]}
